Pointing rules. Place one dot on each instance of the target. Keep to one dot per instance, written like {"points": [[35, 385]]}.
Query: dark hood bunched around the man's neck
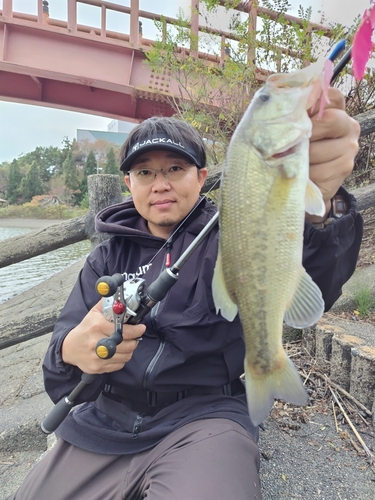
{"points": [[123, 219]]}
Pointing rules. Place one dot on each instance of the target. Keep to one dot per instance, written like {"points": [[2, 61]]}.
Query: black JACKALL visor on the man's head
{"points": [[160, 142]]}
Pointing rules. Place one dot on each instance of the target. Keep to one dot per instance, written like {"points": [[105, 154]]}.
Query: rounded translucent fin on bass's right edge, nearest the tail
{"points": [[307, 306]]}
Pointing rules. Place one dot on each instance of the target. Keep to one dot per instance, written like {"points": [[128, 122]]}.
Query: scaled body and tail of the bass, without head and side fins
{"points": [[262, 259]]}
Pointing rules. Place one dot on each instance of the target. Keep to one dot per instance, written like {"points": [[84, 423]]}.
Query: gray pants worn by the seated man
{"points": [[207, 459]]}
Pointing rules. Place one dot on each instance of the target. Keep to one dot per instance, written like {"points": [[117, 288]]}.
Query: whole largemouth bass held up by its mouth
{"points": [[265, 192]]}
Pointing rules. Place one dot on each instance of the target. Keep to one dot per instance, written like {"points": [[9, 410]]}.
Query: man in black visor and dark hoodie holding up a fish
{"points": [[166, 417]]}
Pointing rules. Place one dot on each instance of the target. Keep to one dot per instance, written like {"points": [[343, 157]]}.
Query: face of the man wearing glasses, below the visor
{"points": [[164, 203]]}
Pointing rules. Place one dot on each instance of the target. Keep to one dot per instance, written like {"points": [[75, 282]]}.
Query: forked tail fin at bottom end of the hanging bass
{"points": [[261, 390]]}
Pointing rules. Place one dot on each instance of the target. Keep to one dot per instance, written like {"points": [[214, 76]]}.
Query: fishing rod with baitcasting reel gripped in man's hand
{"points": [[132, 300]]}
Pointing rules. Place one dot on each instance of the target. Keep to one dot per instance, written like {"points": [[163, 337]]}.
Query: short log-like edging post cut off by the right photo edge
{"points": [[362, 379]]}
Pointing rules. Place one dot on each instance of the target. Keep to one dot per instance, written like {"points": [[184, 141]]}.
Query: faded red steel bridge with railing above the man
{"points": [[66, 65]]}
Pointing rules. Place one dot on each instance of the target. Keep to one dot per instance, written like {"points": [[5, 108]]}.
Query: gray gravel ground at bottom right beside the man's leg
{"points": [[315, 462]]}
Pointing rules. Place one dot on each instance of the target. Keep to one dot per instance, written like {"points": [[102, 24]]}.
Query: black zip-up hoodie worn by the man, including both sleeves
{"points": [[186, 345]]}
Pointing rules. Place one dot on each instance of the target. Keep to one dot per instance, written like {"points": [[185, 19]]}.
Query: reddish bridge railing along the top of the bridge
{"points": [[134, 19]]}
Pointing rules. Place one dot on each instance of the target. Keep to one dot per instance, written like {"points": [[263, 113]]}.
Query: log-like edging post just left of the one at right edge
{"points": [[341, 358]]}
